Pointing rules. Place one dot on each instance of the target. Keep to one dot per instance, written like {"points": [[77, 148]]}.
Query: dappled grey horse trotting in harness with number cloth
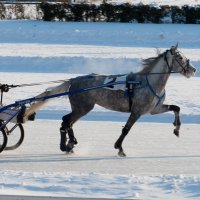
{"points": [[142, 93]]}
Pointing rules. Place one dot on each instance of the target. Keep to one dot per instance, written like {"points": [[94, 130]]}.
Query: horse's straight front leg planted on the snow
{"points": [[118, 144]]}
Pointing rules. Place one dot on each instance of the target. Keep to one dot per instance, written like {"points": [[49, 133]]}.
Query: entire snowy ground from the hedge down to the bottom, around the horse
{"points": [[158, 165]]}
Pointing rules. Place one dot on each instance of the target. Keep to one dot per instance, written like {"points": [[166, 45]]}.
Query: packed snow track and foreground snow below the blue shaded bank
{"points": [[148, 172]]}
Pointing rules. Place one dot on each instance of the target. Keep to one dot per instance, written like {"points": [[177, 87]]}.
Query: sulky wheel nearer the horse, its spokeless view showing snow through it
{"points": [[15, 134]]}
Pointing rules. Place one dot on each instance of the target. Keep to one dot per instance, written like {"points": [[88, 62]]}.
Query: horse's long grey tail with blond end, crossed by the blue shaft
{"points": [[64, 87]]}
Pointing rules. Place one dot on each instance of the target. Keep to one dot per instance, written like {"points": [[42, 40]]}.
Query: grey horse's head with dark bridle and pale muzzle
{"points": [[180, 63]]}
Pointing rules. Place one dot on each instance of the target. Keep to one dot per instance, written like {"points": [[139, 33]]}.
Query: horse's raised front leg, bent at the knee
{"points": [[176, 110]]}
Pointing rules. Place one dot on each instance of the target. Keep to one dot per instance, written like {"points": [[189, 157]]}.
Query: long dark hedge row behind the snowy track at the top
{"points": [[116, 13]]}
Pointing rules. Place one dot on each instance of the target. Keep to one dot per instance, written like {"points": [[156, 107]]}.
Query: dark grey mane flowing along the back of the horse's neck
{"points": [[149, 63]]}
